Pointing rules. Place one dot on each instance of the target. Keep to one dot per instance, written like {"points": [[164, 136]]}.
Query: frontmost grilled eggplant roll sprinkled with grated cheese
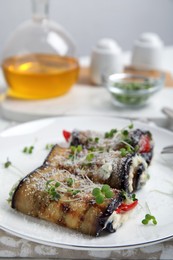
{"points": [[65, 199]]}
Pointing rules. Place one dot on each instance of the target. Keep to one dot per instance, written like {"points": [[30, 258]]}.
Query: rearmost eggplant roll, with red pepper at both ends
{"points": [[139, 140]]}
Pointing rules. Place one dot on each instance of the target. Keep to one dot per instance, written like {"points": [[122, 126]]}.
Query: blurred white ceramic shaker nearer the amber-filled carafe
{"points": [[106, 58]]}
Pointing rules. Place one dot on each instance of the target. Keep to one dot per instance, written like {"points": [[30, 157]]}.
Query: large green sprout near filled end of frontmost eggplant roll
{"points": [[101, 194]]}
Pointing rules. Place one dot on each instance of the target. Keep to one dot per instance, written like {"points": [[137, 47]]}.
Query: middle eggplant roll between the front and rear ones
{"points": [[128, 173]]}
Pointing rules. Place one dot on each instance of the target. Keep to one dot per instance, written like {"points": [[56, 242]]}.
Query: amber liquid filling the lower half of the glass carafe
{"points": [[38, 76]]}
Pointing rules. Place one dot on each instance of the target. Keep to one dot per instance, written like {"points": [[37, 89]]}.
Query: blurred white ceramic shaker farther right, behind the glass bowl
{"points": [[147, 52]]}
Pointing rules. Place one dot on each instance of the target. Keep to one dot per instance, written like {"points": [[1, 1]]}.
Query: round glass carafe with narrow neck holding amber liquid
{"points": [[38, 59]]}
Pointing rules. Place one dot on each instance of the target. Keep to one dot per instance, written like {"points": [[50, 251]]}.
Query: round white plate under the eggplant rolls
{"points": [[131, 234]]}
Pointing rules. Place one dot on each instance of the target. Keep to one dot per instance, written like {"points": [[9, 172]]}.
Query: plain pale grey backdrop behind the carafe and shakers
{"points": [[88, 21]]}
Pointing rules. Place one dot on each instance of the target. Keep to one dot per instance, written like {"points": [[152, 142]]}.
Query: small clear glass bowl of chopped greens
{"points": [[133, 90]]}
